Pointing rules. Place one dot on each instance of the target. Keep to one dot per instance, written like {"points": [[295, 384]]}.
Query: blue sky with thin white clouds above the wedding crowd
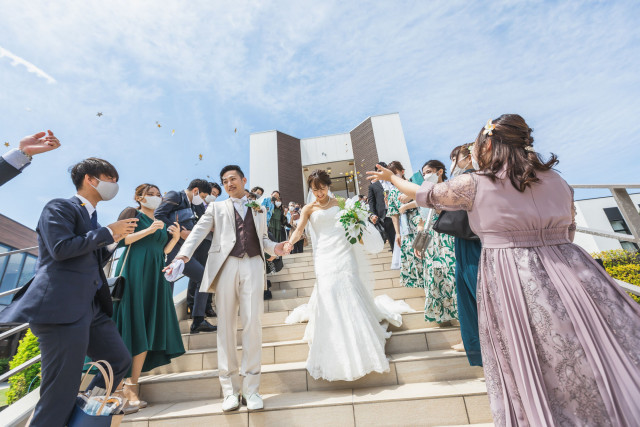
{"points": [[571, 68]]}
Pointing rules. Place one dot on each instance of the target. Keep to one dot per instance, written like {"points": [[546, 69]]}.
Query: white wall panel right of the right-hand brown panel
{"points": [[390, 141]]}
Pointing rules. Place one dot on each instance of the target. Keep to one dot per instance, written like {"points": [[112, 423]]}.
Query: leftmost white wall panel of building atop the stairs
{"points": [[263, 161]]}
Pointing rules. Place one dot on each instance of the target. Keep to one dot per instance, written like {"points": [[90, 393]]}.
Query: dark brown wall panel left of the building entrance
{"points": [[290, 169]]}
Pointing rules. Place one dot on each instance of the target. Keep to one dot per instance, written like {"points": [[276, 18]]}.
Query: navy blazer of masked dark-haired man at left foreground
{"points": [[69, 268]]}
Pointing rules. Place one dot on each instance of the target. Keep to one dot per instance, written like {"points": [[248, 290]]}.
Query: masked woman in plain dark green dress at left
{"points": [[146, 315]]}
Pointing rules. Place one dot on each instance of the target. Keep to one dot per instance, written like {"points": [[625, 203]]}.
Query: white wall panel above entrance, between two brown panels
{"points": [[325, 149]]}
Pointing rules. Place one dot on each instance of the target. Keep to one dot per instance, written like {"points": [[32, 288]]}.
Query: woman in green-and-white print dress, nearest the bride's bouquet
{"points": [[405, 221]]}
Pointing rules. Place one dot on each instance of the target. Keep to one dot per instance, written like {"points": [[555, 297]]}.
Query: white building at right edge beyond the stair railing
{"points": [[602, 214]]}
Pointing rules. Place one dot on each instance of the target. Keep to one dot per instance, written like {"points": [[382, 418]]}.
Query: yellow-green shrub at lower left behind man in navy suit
{"points": [[29, 379]]}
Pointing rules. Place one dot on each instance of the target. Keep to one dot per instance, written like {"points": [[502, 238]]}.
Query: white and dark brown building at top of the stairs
{"points": [[283, 162]]}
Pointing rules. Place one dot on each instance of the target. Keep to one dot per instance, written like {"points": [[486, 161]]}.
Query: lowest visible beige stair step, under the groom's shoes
{"points": [[456, 402]]}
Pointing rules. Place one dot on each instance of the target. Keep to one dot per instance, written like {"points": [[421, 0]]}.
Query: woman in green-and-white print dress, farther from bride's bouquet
{"points": [[439, 261]]}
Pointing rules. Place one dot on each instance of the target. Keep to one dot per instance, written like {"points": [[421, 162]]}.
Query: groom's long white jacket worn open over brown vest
{"points": [[220, 219]]}
